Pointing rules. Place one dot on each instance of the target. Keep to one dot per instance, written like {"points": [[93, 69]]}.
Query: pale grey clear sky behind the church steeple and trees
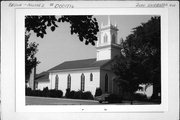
{"points": [[60, 46]]}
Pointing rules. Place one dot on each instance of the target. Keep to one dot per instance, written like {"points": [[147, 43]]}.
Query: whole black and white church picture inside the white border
{"points": [[93, 60]]}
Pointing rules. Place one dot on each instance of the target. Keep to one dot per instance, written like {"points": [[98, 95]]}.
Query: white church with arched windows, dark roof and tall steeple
{"points": [[86, 74]]}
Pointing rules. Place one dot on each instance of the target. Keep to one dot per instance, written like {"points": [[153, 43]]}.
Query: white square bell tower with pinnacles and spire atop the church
{"points": [[107, 45]]}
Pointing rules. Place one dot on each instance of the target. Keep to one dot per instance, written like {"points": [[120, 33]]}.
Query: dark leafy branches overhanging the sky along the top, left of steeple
{"points": [[86, 27]]}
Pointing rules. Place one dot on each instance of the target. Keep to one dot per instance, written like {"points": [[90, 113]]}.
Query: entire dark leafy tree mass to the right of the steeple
{"points": [[139, 60]]}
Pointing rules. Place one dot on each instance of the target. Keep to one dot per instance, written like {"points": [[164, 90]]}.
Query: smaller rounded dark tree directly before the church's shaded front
{"points": [[124, 68]]}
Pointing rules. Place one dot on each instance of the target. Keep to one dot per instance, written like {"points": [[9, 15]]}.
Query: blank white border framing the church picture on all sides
{"points": [[20, 61]]}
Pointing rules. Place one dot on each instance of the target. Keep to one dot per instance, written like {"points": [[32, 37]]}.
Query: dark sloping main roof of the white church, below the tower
{"points": [[79, 64]]}
